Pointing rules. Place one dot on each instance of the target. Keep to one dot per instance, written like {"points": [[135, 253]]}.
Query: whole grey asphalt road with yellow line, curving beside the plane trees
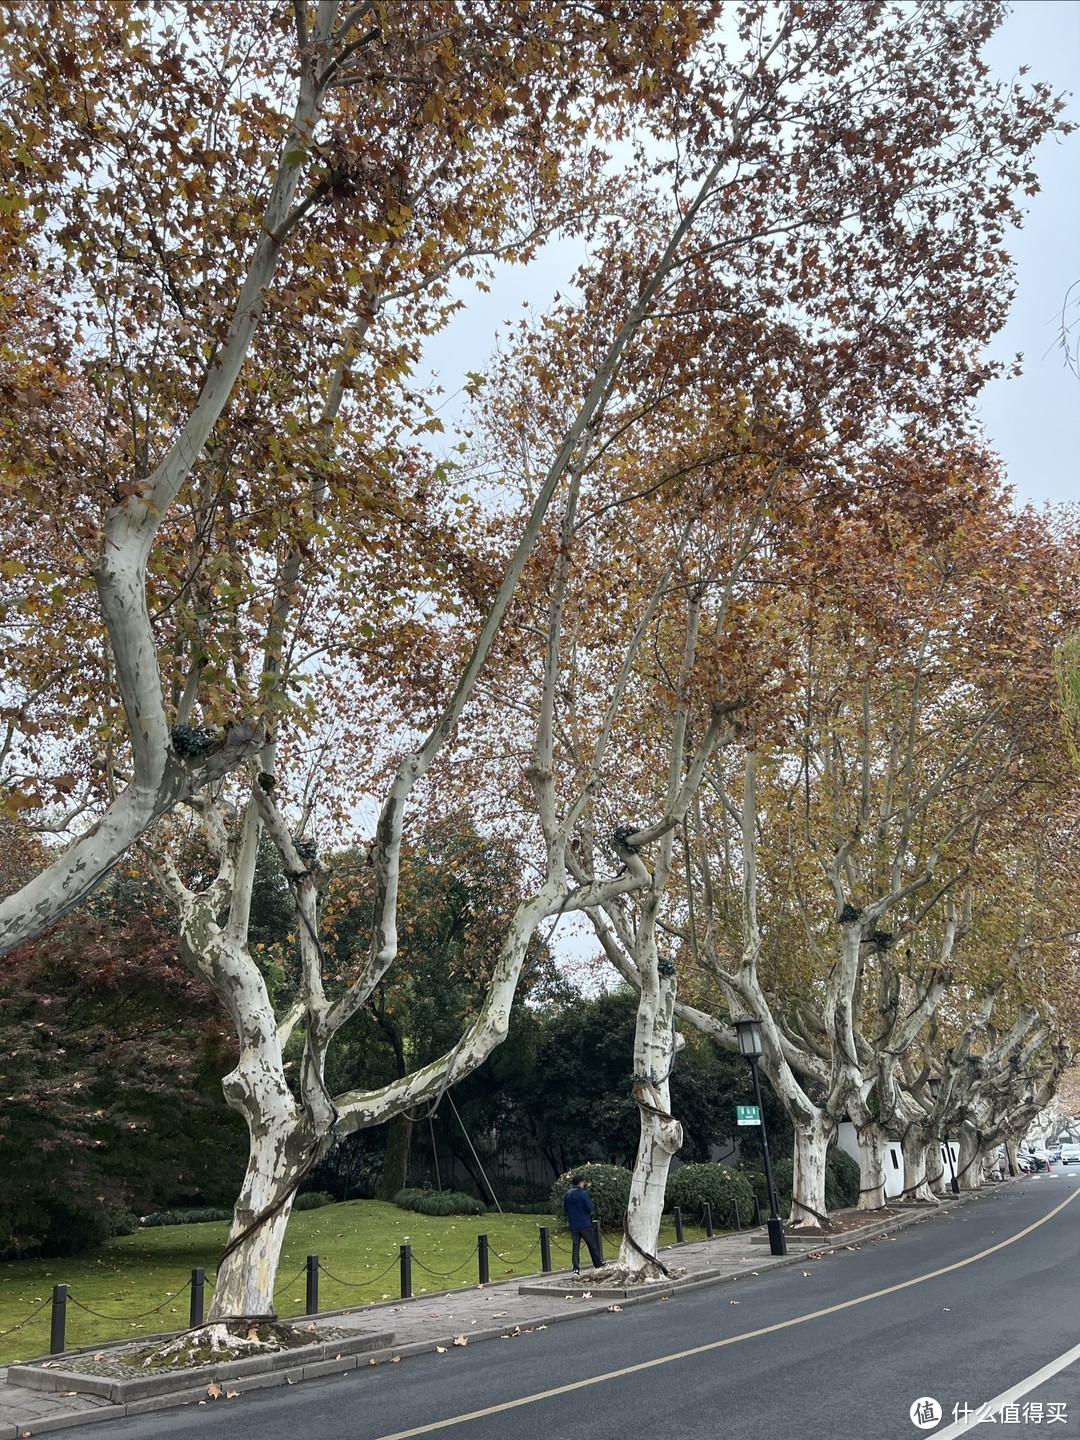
{"points": [[958, 1310]]}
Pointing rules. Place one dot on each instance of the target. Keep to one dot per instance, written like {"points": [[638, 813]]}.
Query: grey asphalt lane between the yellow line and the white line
{"points": [[850, 1376]]}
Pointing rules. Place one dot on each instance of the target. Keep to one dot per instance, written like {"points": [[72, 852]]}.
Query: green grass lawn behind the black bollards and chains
{"points": [[139, 1284]]}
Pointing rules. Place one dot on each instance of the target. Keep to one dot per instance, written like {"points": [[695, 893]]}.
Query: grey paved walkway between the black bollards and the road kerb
{"points": [[418, 1326]]}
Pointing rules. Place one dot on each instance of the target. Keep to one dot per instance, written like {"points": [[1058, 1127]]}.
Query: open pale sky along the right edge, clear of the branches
{"points": [[1035, 421]]}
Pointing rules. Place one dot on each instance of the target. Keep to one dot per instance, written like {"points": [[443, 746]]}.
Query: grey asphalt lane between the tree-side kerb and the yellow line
{"points": [[387, 1399]]}
